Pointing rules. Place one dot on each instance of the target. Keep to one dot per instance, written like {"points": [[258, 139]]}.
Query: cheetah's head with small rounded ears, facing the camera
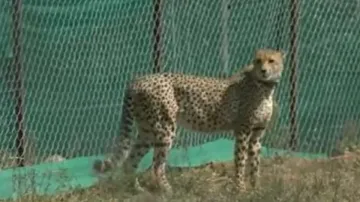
{"points": [[268, 65]]}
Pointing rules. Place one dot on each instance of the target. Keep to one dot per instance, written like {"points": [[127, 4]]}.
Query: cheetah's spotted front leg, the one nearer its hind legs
{"points": [[242, 135]]}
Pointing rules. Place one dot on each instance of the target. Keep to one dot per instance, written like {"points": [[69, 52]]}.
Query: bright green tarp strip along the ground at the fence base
{"points": [[77, 173]]}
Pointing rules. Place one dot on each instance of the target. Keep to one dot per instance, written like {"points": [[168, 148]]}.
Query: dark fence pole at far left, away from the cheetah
{"points": [[17, 62]]}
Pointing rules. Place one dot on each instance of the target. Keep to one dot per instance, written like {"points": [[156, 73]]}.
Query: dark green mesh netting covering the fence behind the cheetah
{"points": [[78, 55]]}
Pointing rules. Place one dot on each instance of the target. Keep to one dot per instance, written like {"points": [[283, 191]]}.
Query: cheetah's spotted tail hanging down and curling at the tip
{"points": [[123, 144]]}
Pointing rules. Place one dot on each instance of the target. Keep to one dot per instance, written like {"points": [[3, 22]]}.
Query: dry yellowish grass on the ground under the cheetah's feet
{"points": [[283, 179]]}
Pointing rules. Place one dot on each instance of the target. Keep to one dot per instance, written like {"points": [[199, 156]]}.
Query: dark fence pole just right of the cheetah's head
{"points": [[294, 12]]}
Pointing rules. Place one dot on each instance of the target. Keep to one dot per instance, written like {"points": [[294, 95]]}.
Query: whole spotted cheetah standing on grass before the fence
{"points": [[158, 103]]}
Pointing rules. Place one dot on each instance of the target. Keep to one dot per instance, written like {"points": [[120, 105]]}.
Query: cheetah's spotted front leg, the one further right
{"points": [[254, 155]]}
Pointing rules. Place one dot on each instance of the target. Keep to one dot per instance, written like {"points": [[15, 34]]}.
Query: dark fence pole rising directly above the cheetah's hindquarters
{"points": [[157, 14]]}
